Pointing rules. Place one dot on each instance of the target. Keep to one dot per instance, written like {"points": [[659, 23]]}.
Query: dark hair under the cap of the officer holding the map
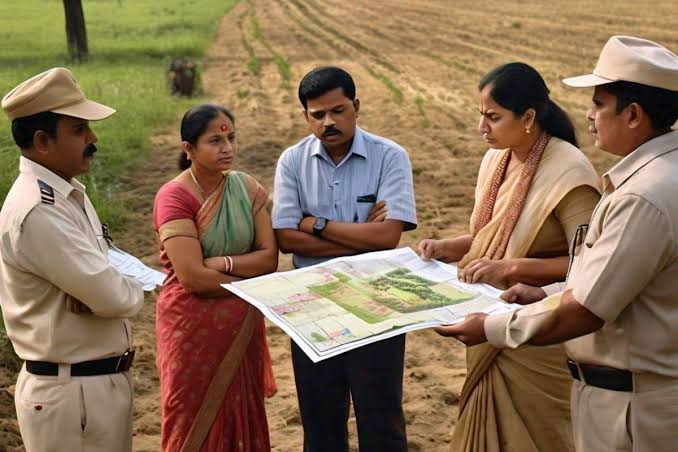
{"points": [[661, 105]]}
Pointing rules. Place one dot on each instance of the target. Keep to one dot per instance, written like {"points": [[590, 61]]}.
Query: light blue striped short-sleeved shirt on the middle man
{"points": [[307, 182]]}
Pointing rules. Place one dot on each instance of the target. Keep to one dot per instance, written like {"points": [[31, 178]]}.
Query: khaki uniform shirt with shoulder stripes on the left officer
{"points": [[52, 251]]}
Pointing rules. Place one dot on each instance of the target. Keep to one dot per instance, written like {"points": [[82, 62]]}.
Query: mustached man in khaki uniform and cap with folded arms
{"points": [[65, 307]]}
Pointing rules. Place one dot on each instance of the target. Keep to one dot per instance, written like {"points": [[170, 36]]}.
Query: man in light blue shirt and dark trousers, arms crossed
{"points": [[338, 192]]}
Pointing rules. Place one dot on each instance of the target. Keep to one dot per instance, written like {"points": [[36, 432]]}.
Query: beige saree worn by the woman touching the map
{"points": [[518, 400]]}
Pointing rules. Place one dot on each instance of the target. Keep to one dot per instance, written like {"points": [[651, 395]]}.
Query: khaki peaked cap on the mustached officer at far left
{"points": [[55, 90]]}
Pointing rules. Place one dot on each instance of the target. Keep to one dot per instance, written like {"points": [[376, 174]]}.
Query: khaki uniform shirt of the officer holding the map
{"points": [[625, 272]]}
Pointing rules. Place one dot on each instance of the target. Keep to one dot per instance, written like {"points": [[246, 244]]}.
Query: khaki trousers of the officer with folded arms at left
{"points": [[75, 414]]}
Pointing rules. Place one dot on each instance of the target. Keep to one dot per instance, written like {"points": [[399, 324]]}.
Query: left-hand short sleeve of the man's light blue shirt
{"points": [[286, 212]]}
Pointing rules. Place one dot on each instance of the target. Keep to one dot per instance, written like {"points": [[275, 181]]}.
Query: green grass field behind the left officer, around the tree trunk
{"points": [[131, 44]]}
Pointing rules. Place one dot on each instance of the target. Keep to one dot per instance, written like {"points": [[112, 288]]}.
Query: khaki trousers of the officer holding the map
{"points": [[645, 420]]}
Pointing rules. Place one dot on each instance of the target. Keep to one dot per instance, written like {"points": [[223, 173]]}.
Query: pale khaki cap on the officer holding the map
{"points": [[633, 60]]}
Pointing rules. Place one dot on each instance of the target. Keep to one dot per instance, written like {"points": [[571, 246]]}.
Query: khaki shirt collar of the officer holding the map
{"points": [[643, 155]]}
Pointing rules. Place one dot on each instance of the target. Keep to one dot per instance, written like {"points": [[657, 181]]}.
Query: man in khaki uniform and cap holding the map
{"points": [[619, 312]]}
